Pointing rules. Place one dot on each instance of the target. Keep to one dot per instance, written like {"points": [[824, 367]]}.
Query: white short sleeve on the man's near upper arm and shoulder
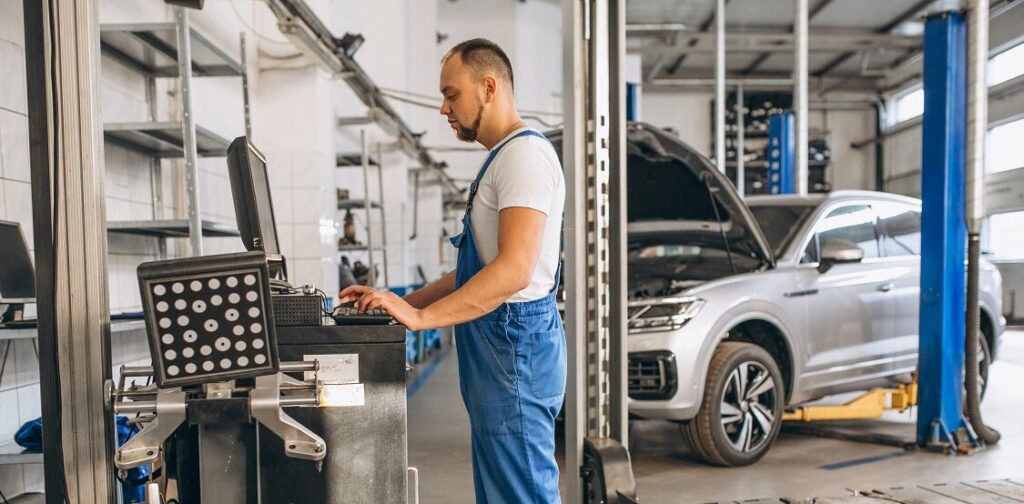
{"points": [[525, 178]]}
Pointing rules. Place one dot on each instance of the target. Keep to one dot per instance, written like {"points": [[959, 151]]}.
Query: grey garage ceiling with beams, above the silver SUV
{"points": [[855, 44]]}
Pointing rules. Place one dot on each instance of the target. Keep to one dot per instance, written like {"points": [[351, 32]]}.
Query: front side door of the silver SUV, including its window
{"points": [[850, 311]]}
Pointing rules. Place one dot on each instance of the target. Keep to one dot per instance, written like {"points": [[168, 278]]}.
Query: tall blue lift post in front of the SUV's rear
{"points": [[941, 422]]}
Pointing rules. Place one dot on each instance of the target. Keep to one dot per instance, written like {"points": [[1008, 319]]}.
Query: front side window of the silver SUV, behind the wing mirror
{"points": [[855, 224]]}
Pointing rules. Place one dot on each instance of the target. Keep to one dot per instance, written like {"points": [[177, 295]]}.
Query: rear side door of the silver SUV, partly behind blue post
{"points": [[901, 227]]}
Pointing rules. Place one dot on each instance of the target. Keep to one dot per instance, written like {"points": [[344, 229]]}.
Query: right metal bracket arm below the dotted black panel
{"points": [[301, 443]]}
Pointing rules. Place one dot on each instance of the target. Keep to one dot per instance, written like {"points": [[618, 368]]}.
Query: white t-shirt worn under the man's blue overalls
{"points": [[526, 174]]}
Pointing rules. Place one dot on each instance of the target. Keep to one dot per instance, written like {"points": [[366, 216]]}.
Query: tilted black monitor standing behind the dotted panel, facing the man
{"points": [[251, 193]]}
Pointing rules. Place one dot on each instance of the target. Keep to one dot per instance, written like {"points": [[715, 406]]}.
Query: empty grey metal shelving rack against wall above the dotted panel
{"points": [[172, 51]]}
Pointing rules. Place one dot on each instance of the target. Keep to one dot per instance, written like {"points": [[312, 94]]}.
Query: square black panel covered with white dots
{"points": [[208, 319]]}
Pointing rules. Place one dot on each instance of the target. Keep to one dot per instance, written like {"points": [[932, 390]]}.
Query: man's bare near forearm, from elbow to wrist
{"points": [[488, 289]]}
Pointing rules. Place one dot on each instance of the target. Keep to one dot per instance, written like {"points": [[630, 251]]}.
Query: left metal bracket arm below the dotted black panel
{"points": [[145, 448]]}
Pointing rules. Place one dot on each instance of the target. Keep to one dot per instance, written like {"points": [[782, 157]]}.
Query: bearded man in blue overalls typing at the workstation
{"points": [[501, 298]]}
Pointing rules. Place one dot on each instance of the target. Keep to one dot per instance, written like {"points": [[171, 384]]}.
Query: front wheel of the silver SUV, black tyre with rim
{"points": [[752, 425]]}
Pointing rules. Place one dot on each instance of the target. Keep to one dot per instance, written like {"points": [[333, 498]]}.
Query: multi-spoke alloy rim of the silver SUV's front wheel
{"points": [[748, 407]]}
